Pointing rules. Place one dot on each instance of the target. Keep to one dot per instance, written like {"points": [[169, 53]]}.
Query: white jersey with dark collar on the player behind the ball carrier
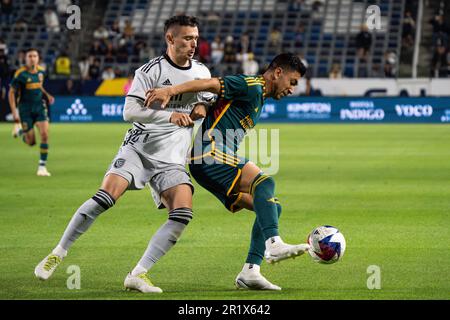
{"points": [[152, 135]]}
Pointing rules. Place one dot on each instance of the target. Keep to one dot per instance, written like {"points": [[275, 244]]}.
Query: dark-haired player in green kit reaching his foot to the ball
{"points": [[235, 181]]}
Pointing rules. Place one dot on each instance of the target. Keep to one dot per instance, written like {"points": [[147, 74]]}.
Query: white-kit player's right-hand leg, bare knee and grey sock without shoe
{"points": [[178, 200]]}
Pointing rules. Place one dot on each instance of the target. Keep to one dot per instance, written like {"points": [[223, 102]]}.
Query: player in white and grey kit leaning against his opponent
{"points": [[154, 151]]}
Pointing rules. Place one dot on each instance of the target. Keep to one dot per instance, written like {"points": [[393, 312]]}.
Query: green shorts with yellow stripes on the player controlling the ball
{"points": [[218, 173]]}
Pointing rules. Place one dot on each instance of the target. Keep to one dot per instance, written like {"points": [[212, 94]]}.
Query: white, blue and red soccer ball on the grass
{"points": [[327, 244]]}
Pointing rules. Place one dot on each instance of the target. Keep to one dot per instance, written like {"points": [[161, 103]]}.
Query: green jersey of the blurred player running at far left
{"points": [[28, 85]]}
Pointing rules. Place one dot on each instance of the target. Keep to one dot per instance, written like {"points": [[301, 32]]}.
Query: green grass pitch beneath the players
{"points": [[387, 187]]}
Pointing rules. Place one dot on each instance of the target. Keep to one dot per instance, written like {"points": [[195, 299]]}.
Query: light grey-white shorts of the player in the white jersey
{"points": [[139, 170]]}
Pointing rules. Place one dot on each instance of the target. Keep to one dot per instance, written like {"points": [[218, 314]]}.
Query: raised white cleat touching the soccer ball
{"points": [[277, 250]]}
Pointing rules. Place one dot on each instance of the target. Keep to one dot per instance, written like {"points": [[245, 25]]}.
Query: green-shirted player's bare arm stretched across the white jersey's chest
{"points": [[164, 94]]}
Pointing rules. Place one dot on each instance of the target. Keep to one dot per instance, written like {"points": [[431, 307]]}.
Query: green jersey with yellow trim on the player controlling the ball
{"points": [[237, 110]]}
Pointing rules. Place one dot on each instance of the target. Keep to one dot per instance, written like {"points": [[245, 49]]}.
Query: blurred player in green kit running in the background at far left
{"points": [[26, 95]]}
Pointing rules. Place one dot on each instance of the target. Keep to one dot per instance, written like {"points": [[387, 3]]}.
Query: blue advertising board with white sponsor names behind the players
{"points": [[291, 109]]}
